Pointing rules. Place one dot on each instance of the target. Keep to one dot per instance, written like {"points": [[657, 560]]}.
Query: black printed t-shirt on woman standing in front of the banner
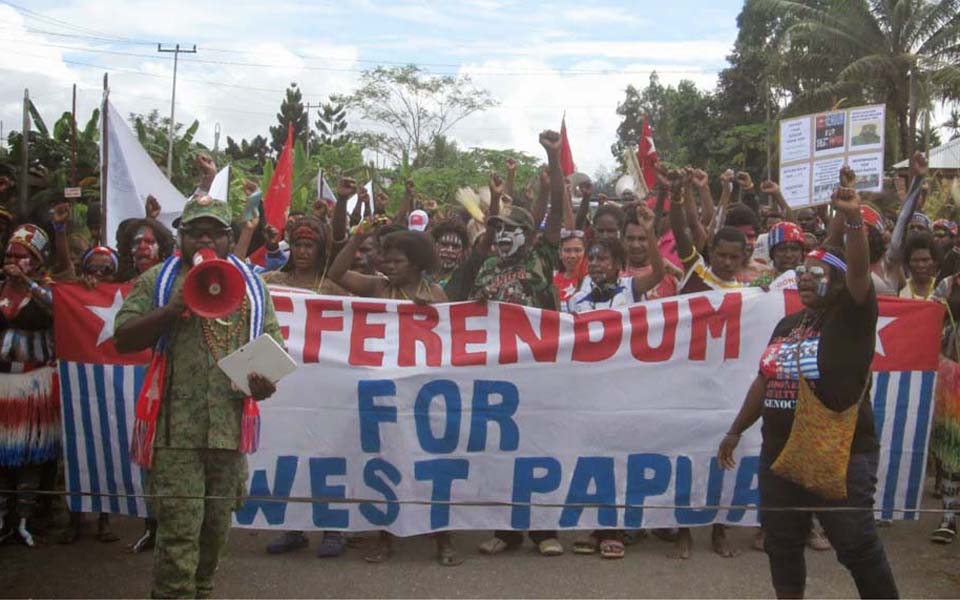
{"points": [[835, 352]]}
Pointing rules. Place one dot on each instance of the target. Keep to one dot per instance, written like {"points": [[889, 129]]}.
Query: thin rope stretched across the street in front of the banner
{"points": [[478, 503]]}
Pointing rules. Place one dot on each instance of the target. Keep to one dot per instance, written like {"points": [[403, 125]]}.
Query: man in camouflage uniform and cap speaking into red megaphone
{"points": [[192, 426]]}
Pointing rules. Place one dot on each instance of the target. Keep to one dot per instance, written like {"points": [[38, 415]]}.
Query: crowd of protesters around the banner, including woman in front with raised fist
{"points": [[540, 250]]}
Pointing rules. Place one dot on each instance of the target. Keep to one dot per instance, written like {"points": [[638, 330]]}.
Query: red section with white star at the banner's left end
{"points": [[83, 324]]}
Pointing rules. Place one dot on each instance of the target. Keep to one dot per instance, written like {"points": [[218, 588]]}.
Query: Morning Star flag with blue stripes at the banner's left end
{"points": [[98, 390]]}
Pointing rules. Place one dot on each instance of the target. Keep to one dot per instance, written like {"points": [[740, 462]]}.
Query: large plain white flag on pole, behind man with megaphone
{"points": [[131, 177]]}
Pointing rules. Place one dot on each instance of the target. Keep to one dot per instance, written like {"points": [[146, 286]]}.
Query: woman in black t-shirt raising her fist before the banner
{"points": [[831, 344]]}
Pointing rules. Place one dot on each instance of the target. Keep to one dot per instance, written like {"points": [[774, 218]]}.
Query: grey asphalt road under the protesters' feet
{"points": [[89, 568]]}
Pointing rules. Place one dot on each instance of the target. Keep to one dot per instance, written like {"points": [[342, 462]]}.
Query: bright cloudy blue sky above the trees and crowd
{"points": [[536, 59]]}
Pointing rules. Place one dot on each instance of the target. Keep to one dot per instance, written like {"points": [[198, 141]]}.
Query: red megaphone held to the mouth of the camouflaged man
{"points": [[214, 287]]}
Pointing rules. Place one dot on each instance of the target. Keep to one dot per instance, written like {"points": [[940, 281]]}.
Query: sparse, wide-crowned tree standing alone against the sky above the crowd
{"points": [[411, 108]]}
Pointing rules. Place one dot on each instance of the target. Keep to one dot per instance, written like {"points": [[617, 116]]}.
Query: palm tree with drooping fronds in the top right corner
{"points": [[904, 53]]}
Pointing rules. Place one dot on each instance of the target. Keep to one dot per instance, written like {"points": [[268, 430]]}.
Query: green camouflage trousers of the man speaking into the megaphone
{"points": [[192, 533]]}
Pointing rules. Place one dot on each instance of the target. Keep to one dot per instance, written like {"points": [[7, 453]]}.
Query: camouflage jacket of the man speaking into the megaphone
{"points": [[200, 408]]}
